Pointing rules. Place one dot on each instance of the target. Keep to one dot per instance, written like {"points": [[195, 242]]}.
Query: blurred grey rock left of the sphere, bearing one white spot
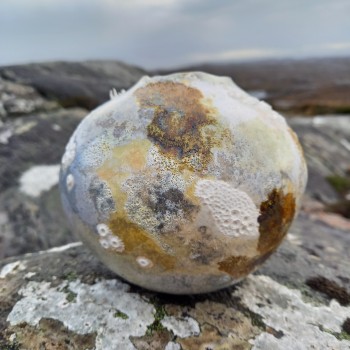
{"points": [[30, 206]]}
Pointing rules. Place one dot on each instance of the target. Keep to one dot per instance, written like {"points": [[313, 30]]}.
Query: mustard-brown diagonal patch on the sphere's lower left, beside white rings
{"points": [[138, 243]]}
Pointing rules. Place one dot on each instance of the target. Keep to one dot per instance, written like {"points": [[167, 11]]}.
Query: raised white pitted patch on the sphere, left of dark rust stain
{"points": [[234, 213]]}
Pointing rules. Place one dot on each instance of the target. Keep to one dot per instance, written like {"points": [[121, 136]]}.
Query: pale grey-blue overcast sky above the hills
{"points": [[170, 33]]}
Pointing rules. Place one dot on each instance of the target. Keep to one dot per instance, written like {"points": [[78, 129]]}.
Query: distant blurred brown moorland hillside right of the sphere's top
{"points": [[310, 86]]}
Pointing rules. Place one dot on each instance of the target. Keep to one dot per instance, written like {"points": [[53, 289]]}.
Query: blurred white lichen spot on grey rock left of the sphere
{"points": [[38, 179]]}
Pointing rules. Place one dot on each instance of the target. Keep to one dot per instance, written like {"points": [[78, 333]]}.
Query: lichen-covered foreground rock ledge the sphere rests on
{"points": [[64, 298]]}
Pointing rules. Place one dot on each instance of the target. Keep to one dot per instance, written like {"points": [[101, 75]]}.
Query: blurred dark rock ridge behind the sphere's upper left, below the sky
{"points": [[75, 84]]}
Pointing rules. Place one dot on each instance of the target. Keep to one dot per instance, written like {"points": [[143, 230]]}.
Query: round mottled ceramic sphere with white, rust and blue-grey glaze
{"points": [[184, 183]]}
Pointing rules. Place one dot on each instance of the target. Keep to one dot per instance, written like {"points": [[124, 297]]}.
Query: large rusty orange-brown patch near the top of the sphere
{"points": [[184, 125]]}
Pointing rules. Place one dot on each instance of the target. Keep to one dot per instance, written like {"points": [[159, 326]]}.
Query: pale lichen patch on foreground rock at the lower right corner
{"points": [[283, 309]]}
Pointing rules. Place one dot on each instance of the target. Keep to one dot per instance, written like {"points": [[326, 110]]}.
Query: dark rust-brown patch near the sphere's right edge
{"points": [[276, 215]]}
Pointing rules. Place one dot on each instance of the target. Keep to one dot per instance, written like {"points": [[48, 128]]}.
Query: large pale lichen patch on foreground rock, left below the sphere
{"points": [[95, 305]]}
